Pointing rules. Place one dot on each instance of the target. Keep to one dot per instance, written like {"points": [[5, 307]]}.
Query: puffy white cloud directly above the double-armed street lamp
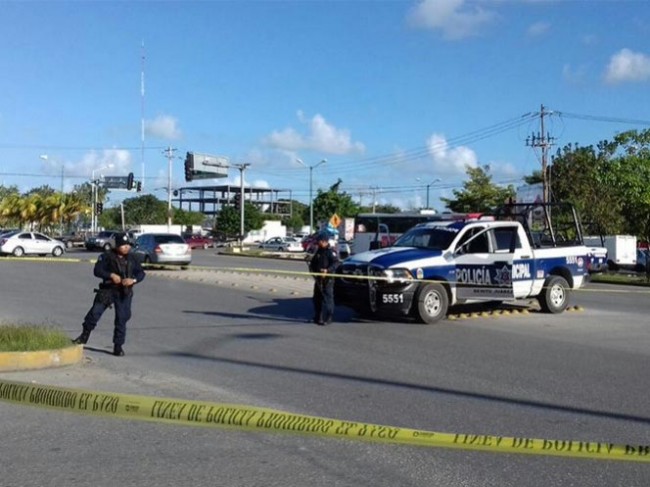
{"points": [[320, 137]]}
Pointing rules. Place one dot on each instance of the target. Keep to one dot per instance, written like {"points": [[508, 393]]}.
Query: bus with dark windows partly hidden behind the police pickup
{"points": [[378, 230]]}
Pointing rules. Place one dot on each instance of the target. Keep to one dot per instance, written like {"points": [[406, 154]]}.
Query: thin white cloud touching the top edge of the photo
{"points": [[452, 17]]}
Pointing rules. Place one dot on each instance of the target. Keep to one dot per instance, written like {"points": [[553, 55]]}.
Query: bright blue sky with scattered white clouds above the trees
{"points": [[394, 94]]}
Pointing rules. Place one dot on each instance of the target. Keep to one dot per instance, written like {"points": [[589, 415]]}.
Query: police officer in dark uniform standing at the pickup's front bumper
{"points": [[324, 261]]}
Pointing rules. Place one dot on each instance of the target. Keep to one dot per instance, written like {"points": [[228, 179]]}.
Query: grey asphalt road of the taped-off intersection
{"points": [[575, 376]]}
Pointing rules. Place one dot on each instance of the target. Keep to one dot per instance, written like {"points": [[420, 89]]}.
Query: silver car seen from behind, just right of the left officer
{"points": [[163, 248]]}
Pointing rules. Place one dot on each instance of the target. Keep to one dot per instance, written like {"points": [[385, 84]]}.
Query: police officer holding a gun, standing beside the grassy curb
{"points": [[119, 271]]}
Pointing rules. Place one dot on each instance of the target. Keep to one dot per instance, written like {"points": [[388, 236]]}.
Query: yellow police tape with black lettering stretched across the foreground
{"points": [[207, 414]]}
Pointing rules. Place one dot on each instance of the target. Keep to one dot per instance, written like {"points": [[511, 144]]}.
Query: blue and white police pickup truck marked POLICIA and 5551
{"points": [[515, 254]]}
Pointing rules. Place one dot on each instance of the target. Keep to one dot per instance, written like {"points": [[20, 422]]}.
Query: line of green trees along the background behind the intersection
{"points": [[609, 184]]}
